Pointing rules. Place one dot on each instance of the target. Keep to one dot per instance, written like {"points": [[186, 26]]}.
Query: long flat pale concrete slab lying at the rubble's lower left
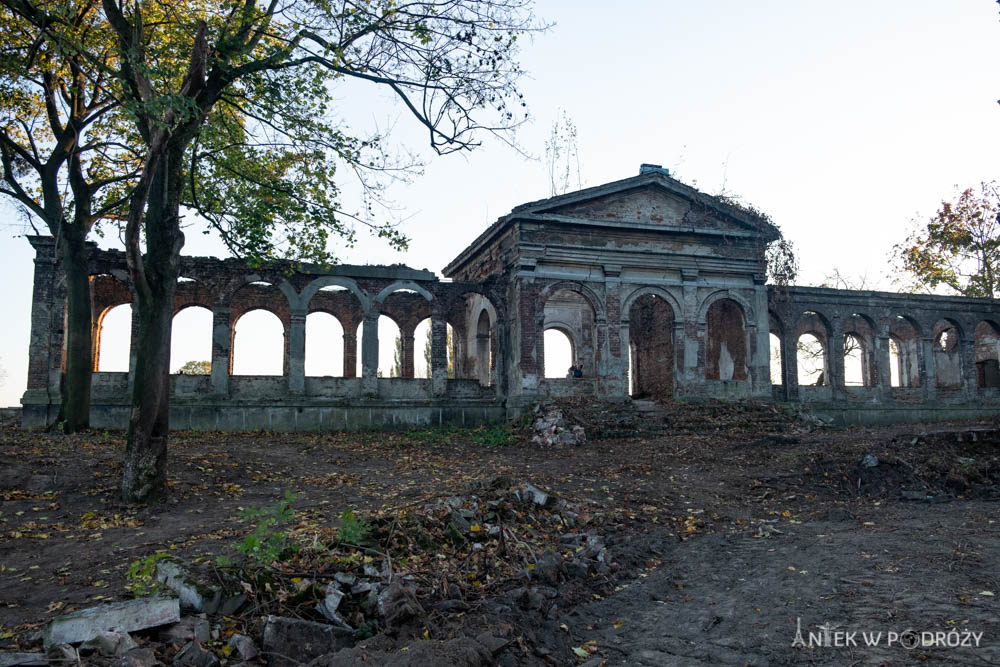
{"points": [[79, 626]]}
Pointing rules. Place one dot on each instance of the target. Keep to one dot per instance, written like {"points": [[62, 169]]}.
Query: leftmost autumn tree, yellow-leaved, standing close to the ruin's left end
{"points": [[66, 155]]}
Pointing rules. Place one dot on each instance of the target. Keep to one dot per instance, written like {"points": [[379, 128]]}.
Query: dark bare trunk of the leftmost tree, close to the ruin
{"points": [[75, 406]]}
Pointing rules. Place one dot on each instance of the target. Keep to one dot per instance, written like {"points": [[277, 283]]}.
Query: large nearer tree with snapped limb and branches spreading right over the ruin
{"points": [[220, 89]]}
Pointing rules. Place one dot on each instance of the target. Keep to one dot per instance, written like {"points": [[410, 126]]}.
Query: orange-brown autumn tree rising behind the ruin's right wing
{"points": [[958, 249]]}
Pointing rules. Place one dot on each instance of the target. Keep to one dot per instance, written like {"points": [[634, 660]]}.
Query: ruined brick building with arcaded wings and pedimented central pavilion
{"points": [[660, 290]]}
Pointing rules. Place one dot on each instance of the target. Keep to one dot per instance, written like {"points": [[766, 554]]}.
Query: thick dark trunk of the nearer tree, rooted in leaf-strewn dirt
{"points": [[144, 479]]}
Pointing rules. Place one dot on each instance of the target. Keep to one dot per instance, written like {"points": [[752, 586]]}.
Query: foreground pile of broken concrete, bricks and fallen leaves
{"points": [[512, 542]]}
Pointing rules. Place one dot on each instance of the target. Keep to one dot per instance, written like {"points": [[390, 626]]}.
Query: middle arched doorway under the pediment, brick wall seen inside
{"points": [[651, 347]]}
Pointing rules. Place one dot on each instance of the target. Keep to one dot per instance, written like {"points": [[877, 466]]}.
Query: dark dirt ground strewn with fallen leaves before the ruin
{"points": [[728, 528]]}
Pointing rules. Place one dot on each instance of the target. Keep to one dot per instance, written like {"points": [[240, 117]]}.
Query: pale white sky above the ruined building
{"points": [[844, 121]]}
